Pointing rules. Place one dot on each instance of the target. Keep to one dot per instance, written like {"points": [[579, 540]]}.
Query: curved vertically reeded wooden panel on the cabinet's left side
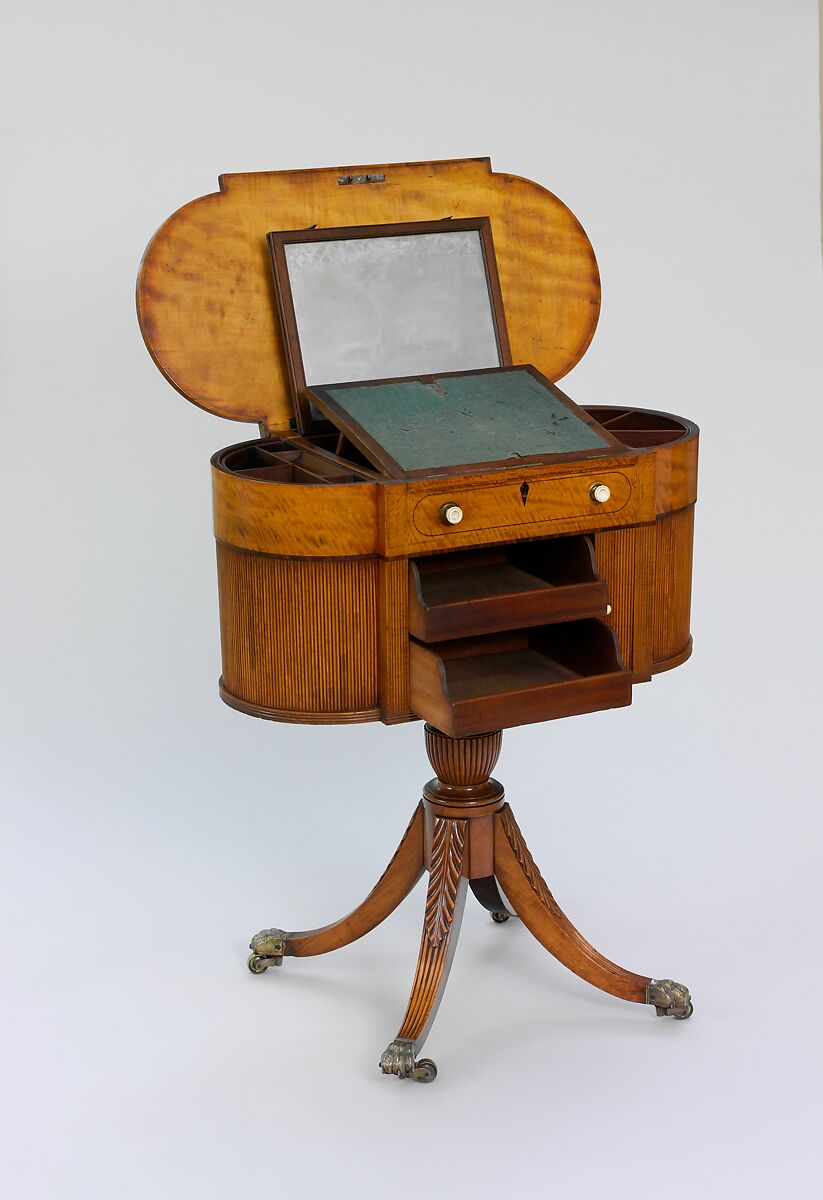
{"points": [[299, 637]]}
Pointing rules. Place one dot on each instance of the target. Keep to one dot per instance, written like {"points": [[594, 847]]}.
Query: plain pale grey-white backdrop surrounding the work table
{"points": [[148, 831]]}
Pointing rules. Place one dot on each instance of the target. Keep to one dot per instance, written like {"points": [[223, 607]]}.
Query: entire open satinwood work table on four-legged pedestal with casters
{"points": [[359, 583]]}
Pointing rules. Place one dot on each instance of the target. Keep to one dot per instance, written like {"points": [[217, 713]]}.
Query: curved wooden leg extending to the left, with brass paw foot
{"points": [[272, 945]]}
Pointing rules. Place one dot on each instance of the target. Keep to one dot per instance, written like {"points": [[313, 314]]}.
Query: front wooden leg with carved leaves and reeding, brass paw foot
{"points": [[444, 909]]}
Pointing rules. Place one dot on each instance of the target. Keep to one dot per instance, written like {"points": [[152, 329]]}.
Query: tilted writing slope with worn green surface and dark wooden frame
{"points": [[452, 421]]}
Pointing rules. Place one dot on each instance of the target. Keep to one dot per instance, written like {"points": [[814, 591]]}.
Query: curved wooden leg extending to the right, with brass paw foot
{"points": [[536, 905]]}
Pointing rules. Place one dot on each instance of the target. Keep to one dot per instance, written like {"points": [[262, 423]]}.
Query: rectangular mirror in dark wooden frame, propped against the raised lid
{"points": [[387, 302]]}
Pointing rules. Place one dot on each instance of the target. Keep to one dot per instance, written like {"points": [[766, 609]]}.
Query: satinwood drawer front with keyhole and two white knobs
{"points": [[508, 507]]}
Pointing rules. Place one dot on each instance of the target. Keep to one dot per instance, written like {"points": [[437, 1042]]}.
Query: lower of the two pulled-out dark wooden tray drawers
{"points": [[478, 685]]}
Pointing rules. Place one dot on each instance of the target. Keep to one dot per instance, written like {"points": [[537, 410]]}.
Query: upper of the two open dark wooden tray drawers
{"points": [[468, 593]]}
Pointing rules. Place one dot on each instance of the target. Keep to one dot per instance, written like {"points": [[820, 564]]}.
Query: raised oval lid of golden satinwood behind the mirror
{"points": [[206, 296]]}
